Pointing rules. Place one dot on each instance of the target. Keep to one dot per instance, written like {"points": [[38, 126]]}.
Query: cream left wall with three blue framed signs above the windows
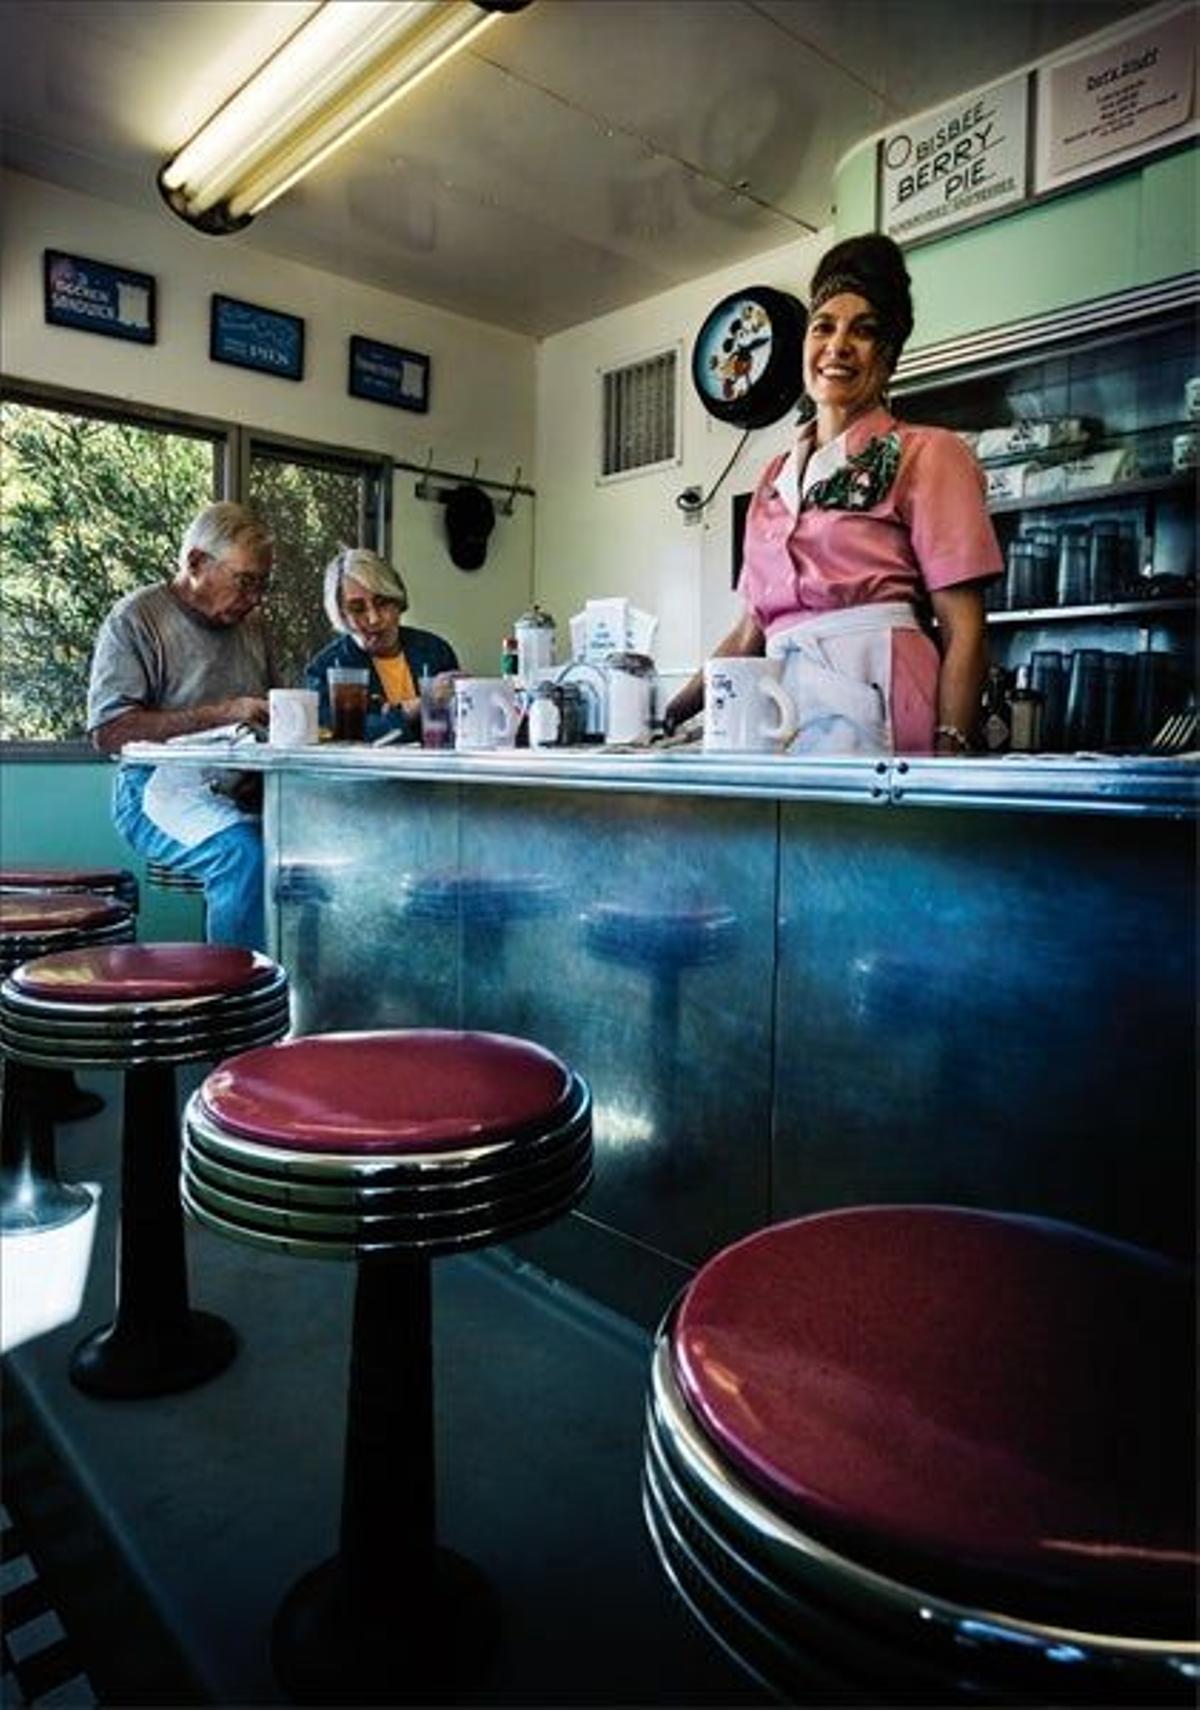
{"points": [[483, 389]]}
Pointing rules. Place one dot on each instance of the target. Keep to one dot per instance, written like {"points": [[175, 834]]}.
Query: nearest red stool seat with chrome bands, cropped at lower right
{"points": [[927, 1453]]}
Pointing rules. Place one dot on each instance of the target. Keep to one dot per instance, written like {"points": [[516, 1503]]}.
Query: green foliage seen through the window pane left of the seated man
{"points": [[90, 510]]}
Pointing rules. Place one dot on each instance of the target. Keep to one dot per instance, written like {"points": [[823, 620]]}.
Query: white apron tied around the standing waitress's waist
{"points": [[838, 669]]}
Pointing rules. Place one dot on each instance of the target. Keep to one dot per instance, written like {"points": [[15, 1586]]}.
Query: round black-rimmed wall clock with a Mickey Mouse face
{"points": [[748, 360]]}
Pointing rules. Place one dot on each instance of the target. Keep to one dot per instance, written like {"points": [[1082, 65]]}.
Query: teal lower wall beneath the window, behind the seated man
{"points": [[57, 813]]}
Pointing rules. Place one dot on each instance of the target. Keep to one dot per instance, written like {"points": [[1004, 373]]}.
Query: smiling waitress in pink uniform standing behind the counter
{"points": [[862, 531]]}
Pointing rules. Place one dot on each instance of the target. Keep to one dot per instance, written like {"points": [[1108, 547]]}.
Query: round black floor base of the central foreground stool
{"points": [[332, 1651]]}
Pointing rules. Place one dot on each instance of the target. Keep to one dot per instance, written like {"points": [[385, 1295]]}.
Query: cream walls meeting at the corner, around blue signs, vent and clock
{"points": [[497, 398]]}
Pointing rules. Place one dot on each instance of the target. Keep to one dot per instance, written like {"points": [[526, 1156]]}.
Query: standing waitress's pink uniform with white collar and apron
{"points": [[890, 516]]}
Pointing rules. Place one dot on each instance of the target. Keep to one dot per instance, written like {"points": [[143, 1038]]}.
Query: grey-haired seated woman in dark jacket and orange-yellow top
{"points": [[365, 599]]}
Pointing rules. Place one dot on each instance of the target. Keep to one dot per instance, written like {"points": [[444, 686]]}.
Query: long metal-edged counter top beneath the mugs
{"points": [[1163, 787]]}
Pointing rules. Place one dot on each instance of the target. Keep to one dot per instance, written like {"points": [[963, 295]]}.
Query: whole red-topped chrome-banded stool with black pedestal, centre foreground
{"points": [[389, 1150]]}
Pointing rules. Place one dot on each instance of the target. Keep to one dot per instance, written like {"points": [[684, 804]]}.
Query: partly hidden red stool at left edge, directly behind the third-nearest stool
{"points": [[37, 924]]}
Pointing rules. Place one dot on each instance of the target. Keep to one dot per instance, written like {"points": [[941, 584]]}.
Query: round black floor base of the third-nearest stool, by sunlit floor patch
{"points": [[122, 1365]]}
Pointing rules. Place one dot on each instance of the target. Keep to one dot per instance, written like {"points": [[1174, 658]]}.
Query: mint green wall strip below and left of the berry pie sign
{"points": [[1126, 232]]}
